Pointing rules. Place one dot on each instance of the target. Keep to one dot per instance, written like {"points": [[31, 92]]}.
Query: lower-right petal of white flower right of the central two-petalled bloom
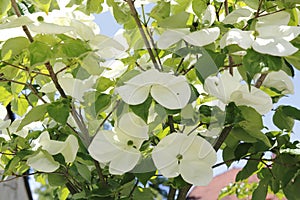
{"points": [[257, 99]]}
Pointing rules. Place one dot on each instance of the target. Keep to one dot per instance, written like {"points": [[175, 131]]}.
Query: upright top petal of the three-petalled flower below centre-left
{"points": [[133, 126]]}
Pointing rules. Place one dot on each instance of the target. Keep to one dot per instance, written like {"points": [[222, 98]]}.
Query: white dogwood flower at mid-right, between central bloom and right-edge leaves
{"points": [[229, 88]]}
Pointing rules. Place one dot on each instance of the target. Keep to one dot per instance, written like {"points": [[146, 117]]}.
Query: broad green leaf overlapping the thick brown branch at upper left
{"points": [[39, 53]]}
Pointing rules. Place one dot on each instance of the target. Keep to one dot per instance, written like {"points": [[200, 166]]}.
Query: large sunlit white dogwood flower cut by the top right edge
{"points": [[273, 36]]}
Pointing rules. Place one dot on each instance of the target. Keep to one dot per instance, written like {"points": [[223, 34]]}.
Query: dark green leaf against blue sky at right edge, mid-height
{"points": [[283, 121]]}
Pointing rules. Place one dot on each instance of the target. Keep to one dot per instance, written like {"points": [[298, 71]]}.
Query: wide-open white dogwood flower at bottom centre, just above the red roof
{"points": [[190, 156]]}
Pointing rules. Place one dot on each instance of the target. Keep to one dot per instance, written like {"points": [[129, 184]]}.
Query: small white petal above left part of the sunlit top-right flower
{"points": [[238, 15]]}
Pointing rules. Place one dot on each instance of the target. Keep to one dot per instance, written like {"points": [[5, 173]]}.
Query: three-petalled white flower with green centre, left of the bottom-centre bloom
{"points": [[120, 148]]}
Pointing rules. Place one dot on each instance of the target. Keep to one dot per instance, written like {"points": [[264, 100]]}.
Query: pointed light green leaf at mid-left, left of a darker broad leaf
{"points": [[35, 114]]}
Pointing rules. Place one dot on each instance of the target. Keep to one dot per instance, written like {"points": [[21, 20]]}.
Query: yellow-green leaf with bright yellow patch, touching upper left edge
{"points": [[13, 47]]}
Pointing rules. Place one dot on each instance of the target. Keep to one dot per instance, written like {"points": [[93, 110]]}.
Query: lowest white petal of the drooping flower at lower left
{"points": [[43, 162]]}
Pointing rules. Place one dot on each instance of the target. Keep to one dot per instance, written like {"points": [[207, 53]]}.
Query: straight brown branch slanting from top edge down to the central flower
{"points": [[137, 21]]}
